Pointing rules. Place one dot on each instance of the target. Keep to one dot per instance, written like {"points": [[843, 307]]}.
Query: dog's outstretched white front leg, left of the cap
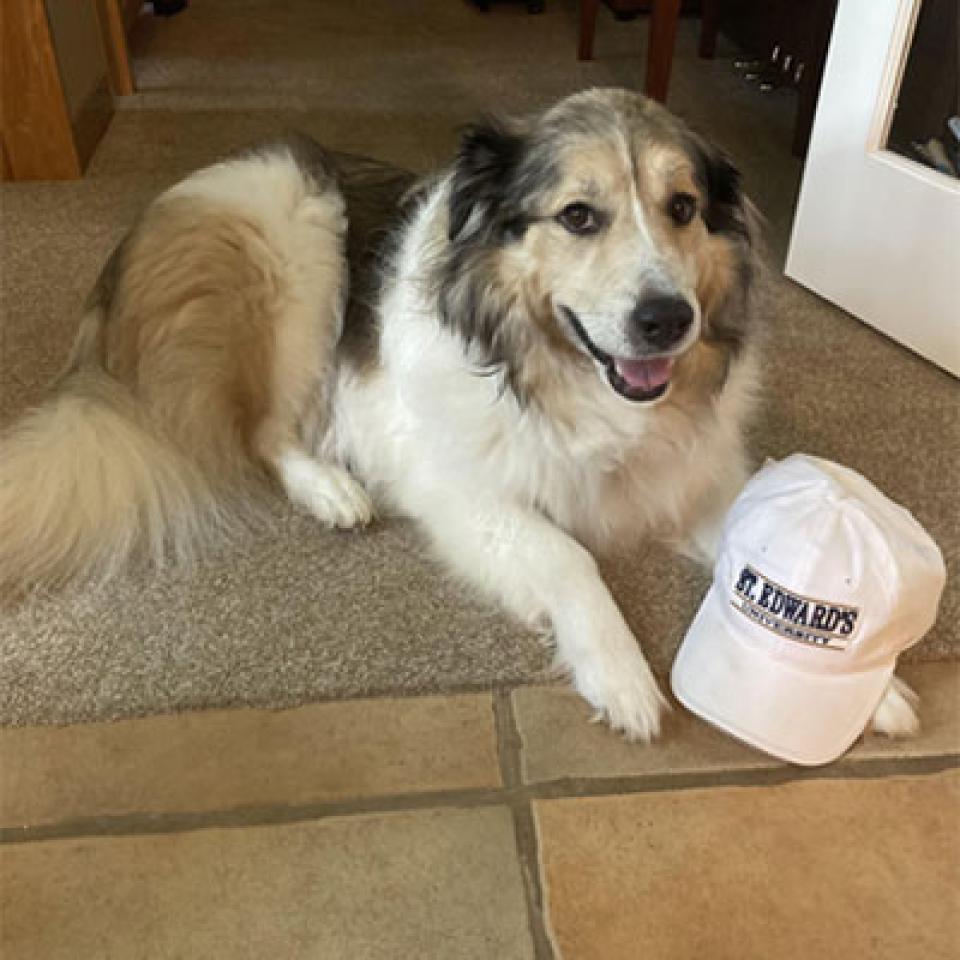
{"points": [[533, 567]]}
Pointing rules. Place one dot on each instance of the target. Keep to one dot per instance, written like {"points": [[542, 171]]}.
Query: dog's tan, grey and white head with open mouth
{"points": [[606, 227]]}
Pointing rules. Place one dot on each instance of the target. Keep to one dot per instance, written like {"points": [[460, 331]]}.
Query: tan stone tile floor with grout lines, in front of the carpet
{"points": [[491, 825]]}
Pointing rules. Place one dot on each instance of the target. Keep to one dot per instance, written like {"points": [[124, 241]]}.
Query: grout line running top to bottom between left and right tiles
{"points": [[509, 751]]}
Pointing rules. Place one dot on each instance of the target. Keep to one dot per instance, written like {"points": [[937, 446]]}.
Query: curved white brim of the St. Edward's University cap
{"points": [[806, 718]]}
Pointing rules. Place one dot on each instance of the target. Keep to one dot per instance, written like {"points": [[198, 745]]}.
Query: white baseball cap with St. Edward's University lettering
{"points": [[819, 584]]}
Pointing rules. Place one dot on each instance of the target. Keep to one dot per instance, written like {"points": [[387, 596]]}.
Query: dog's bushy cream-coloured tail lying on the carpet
{"points": [[86, 481]]}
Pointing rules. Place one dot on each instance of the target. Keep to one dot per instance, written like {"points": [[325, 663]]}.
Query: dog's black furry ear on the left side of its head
{"points": [[486, 163]]}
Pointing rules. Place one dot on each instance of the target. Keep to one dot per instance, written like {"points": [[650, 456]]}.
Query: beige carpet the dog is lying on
{"points": [[293, 614]]}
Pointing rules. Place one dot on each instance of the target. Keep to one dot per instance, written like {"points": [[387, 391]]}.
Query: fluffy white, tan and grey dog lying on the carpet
{"points": [[547, 348]]}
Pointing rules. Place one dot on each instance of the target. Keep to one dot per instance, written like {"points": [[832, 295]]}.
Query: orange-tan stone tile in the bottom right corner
{"points": [[832, 869]]}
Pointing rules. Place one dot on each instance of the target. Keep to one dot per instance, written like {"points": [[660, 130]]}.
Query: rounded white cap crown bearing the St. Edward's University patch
{"points": [[823, 570]]}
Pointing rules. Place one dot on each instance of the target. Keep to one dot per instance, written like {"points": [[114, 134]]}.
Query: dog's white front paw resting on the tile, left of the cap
{"points": [[625, 694]]}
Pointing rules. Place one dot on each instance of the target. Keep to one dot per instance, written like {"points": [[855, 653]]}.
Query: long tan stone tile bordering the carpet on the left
{"points": [[219, 760]]}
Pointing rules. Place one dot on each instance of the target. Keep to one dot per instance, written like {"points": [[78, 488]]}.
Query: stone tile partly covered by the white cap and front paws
{"points": [[558, 741]]}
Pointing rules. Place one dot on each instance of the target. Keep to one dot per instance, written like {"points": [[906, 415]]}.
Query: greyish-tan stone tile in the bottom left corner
{"points": [[436, 883]]}
